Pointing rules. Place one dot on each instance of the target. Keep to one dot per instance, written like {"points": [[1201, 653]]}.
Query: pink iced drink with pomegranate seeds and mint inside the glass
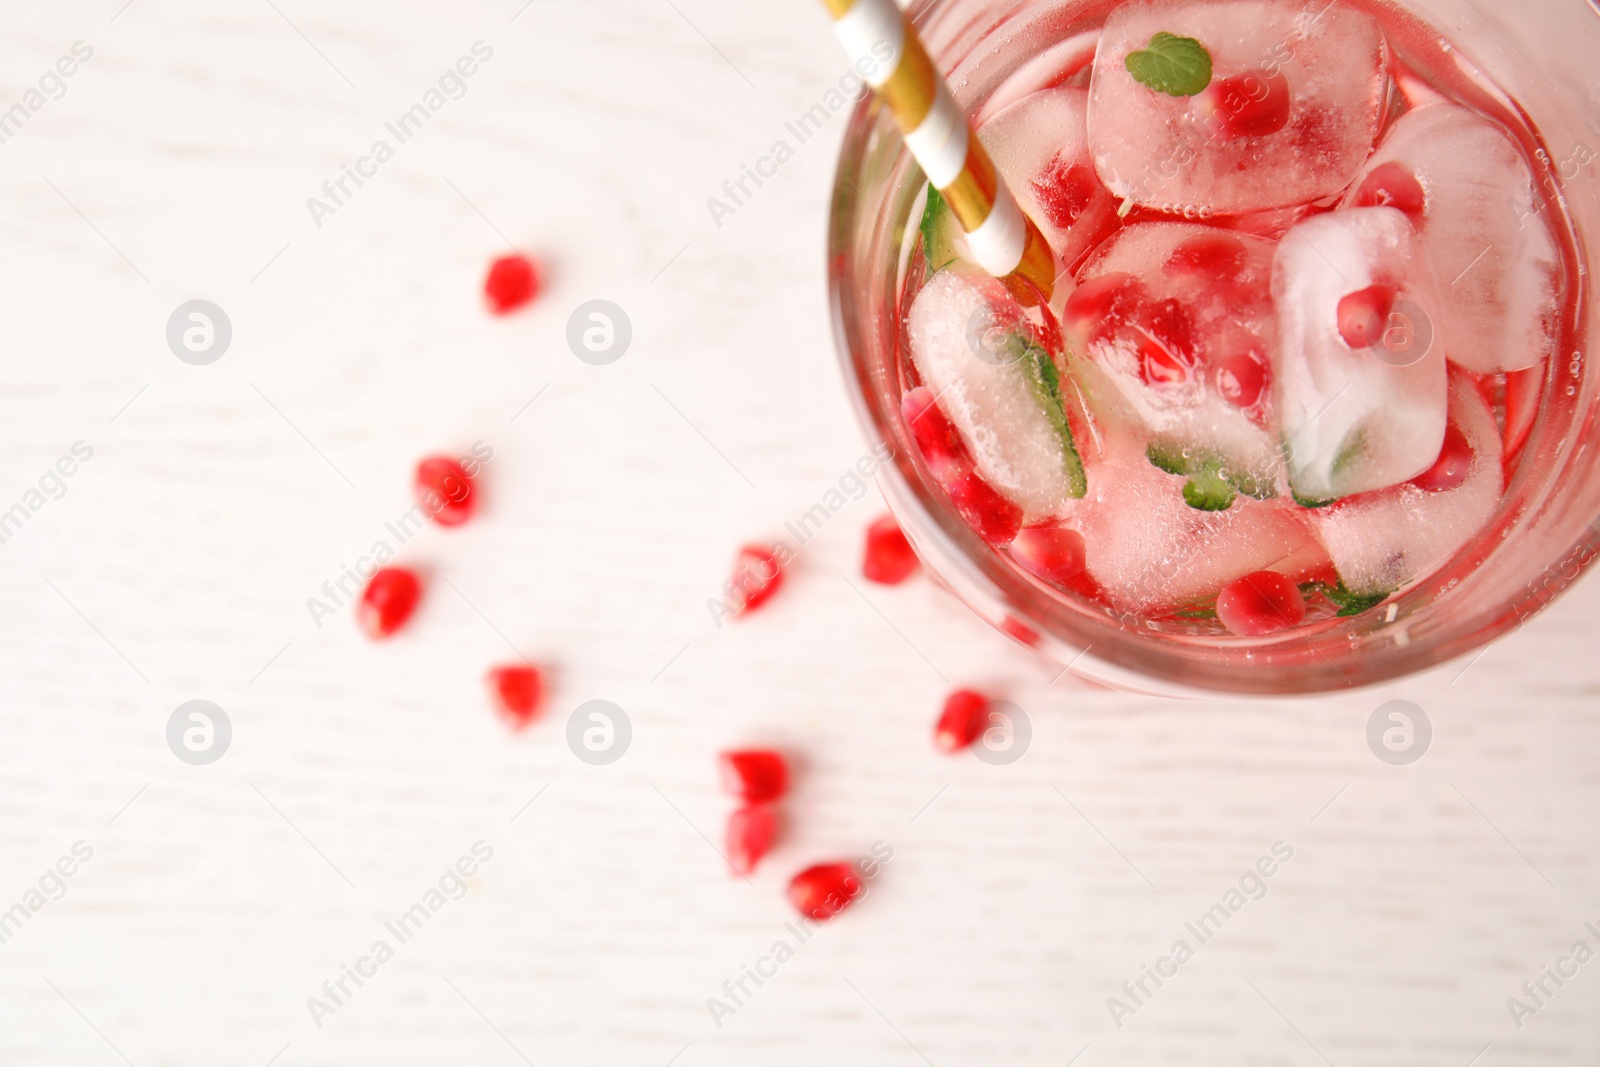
{"points": [[1313, 287]]}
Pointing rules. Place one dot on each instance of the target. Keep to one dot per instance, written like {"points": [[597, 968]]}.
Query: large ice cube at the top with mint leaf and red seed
{"points": [[1290, 114]]}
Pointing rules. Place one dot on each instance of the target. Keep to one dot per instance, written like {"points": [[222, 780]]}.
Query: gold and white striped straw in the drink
{"points": [[1001, 238]]}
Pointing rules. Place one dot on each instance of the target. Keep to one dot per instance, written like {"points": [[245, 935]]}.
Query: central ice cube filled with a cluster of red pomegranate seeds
{"points": [[1172, 330]]}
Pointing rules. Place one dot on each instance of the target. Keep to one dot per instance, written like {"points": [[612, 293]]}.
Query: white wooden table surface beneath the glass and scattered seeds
{"points": [[220, 498]]}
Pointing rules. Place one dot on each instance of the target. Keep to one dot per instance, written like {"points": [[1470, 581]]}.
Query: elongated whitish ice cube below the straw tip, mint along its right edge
{"points": [[972, 346]]}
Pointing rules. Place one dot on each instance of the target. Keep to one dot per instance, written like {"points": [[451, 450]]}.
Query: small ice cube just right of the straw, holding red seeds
{"points": [[1041, 148]]}
